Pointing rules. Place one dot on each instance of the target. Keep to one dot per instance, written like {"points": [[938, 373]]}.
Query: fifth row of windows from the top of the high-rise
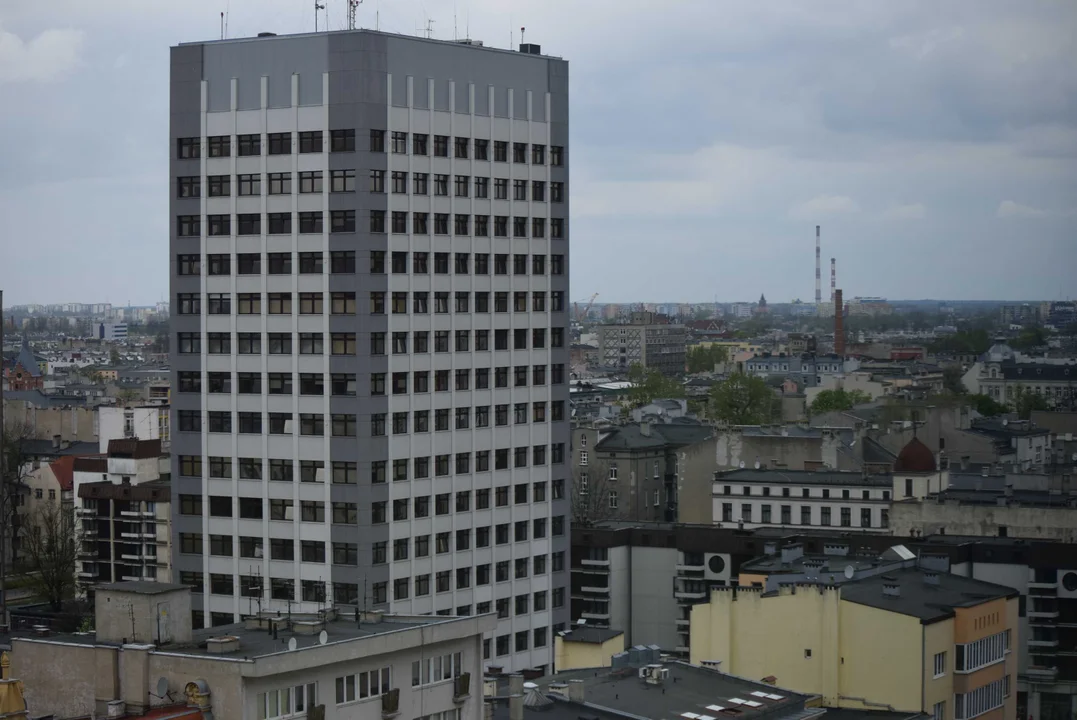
{"points": [[380, 303]]}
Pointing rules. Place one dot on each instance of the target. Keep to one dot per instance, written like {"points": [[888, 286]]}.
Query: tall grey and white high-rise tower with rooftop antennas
{"points": [[370, 269]]}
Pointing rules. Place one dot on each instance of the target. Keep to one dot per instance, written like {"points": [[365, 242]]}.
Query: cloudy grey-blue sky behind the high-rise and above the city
{"points": [[936, 143]]}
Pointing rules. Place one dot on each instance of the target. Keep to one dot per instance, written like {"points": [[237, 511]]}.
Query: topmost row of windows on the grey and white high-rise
{"points": [[344, 142]]}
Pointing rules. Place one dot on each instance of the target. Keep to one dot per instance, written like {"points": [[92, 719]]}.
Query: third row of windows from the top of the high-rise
{"points": [[344, 221]]}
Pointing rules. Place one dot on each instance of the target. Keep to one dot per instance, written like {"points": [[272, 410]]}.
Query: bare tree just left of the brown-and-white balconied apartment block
{"points": [[51, 542]]}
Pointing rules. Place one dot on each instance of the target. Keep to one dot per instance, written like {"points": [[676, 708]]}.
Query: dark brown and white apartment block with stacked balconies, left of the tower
{"points": [[123, 515]]}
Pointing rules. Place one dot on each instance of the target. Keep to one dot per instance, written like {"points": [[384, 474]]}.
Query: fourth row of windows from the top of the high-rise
{"points": [[344, 262]]}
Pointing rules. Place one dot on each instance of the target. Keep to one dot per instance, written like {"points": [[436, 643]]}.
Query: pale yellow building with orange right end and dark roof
{"points": [[911, 640]]}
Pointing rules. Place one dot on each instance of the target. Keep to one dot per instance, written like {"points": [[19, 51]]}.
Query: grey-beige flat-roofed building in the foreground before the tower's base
{"points": [[145, 658]]}
